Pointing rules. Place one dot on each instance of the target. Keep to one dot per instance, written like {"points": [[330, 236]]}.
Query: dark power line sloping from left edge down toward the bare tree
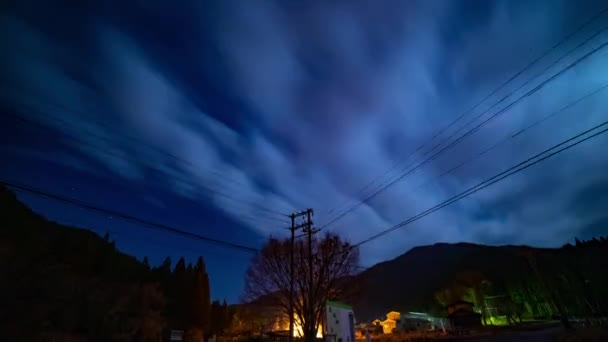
{"points": [[126, 217]]}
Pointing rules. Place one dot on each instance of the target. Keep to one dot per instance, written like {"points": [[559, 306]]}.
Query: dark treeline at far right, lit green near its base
{"points": [[569, 282]]}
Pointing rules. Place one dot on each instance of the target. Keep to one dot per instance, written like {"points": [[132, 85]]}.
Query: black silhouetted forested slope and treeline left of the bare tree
{"points": [[60, 283]]}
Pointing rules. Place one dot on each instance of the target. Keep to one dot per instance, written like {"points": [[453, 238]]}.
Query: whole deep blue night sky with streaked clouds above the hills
{"points": [[208, 115]]}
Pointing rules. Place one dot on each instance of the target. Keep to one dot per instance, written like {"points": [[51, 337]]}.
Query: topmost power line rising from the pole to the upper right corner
{"points": [[492, 93]]}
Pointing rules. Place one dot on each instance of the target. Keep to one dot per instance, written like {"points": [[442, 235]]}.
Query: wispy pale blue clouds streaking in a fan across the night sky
{"points": [[301, 105]]}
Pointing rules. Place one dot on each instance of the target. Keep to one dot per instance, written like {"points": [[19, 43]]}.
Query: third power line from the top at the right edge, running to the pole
{"points": [[469, 132]]}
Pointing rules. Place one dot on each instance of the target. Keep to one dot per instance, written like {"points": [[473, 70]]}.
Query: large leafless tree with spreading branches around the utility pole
{"points": [[334, 263]]}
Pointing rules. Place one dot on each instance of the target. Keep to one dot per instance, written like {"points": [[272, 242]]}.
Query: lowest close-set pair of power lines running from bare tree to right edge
{"points": [[496, 178]]}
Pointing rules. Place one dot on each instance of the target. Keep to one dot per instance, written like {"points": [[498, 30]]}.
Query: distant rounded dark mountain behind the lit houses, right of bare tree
{"points": [[409, 282]]}
